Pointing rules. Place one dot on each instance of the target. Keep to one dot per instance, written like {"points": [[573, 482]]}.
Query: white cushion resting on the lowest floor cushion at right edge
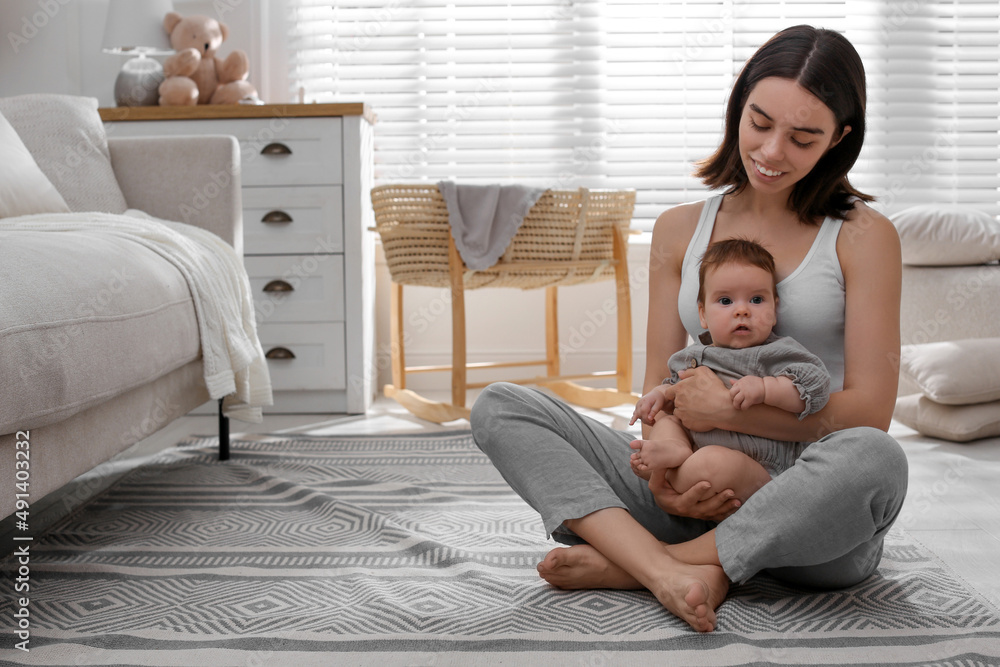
{"points": [[955, 372]]}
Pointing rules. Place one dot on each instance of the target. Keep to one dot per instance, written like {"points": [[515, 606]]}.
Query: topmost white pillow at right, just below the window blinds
{"points": [[939, 235]]}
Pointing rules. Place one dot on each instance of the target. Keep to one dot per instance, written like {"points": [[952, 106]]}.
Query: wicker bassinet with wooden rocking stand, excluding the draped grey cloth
{"points": [[568, 237]]}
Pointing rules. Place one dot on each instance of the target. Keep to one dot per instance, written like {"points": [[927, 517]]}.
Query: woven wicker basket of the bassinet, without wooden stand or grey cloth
{"points": [[566, 238]]}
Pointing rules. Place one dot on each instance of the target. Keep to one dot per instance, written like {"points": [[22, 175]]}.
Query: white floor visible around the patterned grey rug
{"points": [[953, 506]]}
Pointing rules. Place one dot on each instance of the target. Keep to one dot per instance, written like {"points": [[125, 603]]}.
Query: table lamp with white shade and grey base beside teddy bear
{"points": [[135, 27]]}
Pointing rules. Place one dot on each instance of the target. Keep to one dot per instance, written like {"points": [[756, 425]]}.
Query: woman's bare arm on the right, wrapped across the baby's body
{"points": [[870, 258]]}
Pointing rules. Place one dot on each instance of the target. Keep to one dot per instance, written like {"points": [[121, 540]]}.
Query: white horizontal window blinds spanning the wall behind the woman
{"points": [[630, 94]]}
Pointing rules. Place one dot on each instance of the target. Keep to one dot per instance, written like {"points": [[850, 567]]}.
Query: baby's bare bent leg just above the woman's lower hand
{"points": [[725, 468]]}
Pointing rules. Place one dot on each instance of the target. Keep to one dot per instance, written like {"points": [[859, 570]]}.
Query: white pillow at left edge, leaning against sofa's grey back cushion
{"points": [[24, 189]]}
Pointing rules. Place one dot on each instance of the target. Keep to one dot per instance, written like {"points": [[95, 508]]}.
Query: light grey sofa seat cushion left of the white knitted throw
{"points": [[76, 331]]}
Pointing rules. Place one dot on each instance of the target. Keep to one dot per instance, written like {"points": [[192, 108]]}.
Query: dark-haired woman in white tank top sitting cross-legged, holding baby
{"points": [[795, 124]]}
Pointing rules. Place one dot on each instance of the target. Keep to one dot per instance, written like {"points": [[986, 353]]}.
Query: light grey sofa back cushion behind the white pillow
{"points": [[66, 137]]}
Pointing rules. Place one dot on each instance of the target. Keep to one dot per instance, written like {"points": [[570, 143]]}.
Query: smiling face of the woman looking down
{"points": [[784, 131]]}
